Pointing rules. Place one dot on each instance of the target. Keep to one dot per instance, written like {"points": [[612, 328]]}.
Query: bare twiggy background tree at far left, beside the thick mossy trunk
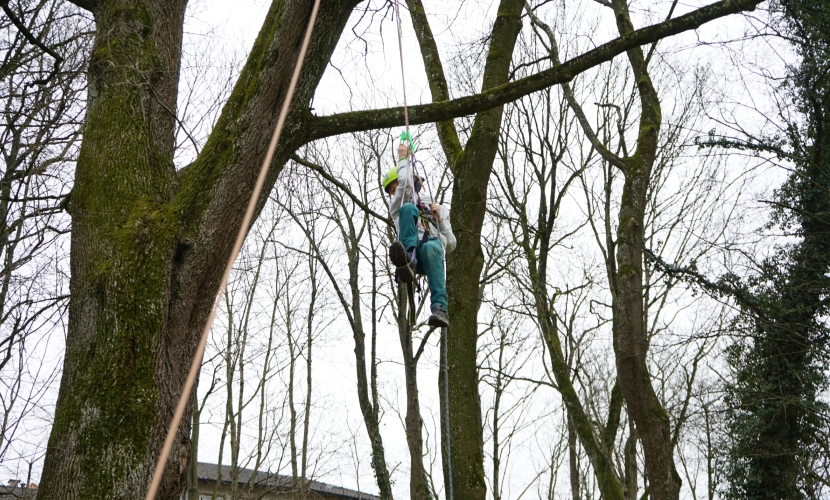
{"points": [[43, 47]]}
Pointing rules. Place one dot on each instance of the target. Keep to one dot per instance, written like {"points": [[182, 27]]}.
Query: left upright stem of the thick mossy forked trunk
{"points": [[123, 243]]}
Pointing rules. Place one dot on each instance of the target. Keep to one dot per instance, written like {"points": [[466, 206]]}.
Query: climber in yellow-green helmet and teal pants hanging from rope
{"points": [[424, 233]]}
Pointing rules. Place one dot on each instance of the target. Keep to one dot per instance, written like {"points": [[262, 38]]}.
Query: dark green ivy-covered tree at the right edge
{"points": [[776, 415]]}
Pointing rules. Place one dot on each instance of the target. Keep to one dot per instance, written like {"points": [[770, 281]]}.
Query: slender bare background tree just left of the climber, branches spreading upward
{"points": [[346, 215]]}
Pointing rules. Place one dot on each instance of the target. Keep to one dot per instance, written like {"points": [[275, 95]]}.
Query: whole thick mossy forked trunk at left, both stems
{"points": [[148, 244]]}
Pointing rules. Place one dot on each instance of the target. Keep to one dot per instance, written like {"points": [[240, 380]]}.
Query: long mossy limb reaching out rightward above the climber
{"points": [[356, 121]]}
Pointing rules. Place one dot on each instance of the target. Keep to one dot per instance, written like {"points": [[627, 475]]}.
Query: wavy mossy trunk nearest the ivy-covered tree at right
{"points": [[629, 328]]}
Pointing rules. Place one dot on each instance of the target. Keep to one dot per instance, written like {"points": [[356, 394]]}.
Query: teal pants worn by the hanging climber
{"points": [[430, 254]]}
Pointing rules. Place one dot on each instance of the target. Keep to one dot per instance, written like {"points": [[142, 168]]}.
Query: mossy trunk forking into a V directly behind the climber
{"points": [[472, 167]]}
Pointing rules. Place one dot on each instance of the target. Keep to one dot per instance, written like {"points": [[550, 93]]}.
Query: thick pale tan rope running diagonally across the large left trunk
{"points": [[196, 365]]}
